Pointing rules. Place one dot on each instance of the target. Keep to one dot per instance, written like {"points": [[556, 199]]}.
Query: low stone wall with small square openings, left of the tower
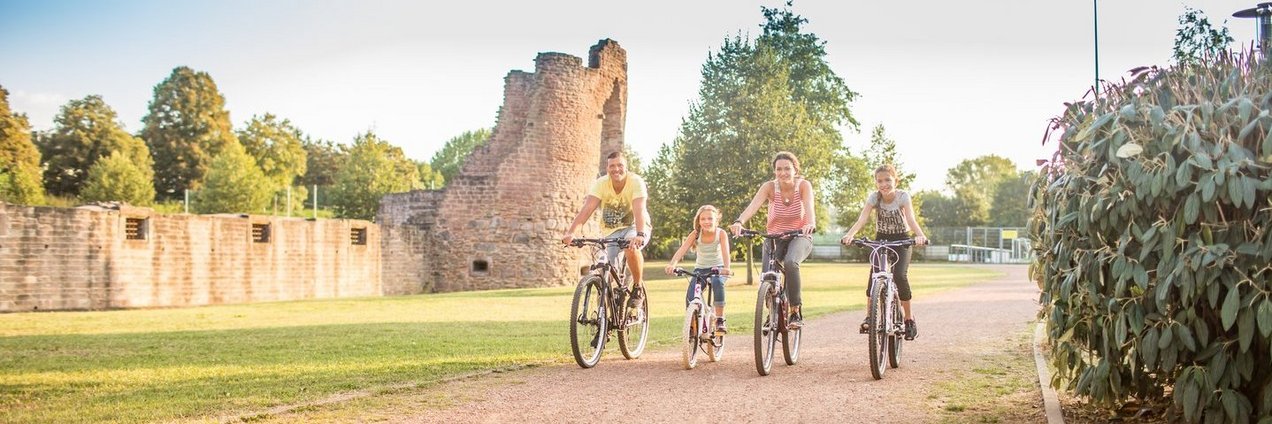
{"points": [[92, 258]]}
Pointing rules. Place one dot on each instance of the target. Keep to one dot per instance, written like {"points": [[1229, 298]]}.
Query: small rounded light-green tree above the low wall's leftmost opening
{"points": [[118, 179]]}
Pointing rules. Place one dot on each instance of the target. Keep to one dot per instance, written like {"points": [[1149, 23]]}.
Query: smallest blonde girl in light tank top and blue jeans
{"points": [[713, 251]]}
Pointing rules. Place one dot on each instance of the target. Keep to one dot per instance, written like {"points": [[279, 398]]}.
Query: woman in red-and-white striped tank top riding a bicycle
{"points": [[791, 208]]}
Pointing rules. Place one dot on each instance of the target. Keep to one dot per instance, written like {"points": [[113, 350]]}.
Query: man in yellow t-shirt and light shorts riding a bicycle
{"points": [[621, 198]]}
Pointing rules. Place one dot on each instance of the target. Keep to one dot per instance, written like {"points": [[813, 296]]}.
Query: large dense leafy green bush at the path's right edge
{"points": [[1153, 232]]}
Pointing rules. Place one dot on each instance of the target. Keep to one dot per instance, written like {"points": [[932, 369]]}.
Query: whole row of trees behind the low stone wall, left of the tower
{"points": [[188, 143]]}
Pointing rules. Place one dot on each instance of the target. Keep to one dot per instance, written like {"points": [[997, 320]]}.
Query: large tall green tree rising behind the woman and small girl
{"points": [[756, 99]]}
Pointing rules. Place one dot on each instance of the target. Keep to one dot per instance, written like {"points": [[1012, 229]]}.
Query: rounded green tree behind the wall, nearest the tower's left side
{"points": [[375, 169]]}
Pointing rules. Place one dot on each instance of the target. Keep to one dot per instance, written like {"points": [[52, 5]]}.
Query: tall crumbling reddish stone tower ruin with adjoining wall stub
{"points": [[499, 223]]}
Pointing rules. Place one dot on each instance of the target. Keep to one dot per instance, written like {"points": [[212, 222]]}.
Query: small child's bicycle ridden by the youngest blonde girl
{"points": [[700, 333]]}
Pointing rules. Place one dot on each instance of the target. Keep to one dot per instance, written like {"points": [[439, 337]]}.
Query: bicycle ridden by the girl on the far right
{"points": [[885, 319]]}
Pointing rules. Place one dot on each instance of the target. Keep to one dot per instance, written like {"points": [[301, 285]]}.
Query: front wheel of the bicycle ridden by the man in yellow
{"points": [[588, 324]]}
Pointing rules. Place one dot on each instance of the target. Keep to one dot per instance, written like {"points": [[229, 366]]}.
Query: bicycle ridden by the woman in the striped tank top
{"points": [[773, 309]]}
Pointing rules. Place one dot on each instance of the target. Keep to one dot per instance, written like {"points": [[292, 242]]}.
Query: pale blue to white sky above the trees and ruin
{"points": [[950, 81]]}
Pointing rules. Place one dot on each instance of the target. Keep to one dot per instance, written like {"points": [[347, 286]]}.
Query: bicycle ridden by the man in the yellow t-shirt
{"points": [[601, 307]]}
